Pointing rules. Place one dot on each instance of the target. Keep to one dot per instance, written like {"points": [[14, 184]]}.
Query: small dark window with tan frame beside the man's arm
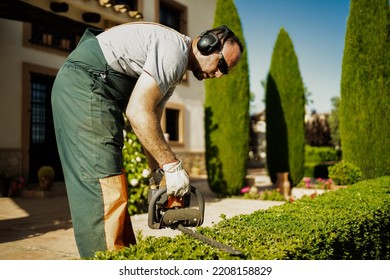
{"points": [[172, 123]]}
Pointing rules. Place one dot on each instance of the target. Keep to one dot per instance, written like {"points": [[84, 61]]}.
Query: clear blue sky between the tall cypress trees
{"points": [[317, 30]]}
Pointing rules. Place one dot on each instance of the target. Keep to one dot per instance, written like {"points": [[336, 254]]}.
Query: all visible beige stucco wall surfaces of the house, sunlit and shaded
{"points": [[13, 55]]}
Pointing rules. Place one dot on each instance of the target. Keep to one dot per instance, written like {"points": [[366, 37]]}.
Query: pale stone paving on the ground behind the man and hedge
{"points": [[41, 228]]}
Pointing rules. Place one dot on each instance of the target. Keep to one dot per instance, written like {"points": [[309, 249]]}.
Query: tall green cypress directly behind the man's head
{"points": [[227, 120]]}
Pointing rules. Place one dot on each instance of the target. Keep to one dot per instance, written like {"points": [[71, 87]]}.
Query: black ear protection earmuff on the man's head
{"points": [[209, 40]]}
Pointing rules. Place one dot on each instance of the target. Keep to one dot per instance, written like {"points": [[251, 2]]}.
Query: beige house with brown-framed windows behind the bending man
{"points": [[37, 36]]}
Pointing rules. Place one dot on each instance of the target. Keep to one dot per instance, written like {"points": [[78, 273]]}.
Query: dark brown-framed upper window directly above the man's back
{"points": [[174, 15]]}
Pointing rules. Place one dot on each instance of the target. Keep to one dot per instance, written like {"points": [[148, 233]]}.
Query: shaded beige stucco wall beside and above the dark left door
{"points": [[12, 56]]}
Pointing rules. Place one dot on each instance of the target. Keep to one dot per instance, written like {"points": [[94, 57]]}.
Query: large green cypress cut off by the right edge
{"points": [[365, 88]]}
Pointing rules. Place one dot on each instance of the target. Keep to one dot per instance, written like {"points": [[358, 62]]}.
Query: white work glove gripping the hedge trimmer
{"points": [[178, 183]]}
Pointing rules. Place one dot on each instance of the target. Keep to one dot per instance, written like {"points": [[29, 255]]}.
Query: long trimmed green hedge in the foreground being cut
{"points": [[351, 223]]}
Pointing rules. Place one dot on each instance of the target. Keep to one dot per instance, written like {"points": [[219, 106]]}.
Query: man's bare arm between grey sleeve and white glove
{"points": [[144, 112]]}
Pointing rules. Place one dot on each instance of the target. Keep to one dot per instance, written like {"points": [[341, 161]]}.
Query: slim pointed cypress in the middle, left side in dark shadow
{"points": [[285, 102]]}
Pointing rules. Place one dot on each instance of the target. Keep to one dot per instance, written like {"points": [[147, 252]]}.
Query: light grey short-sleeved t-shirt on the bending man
{"points": [[147, 47]]}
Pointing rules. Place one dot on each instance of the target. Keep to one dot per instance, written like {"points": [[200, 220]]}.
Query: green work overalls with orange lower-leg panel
{"points": [[88, 100]]}
